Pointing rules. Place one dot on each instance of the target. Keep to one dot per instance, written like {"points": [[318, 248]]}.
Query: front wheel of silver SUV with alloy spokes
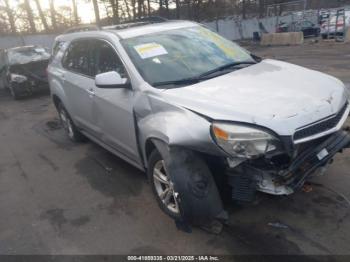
{"points": [[162, 186]]}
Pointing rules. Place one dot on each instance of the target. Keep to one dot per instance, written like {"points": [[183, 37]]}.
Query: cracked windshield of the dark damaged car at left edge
{"points": [[27, 55]]}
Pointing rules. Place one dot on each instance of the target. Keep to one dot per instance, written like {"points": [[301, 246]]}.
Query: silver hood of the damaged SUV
{"points": [[274, 94]]}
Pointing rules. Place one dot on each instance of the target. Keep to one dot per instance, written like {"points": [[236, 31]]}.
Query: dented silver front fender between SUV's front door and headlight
{"points": [[158, 119]]}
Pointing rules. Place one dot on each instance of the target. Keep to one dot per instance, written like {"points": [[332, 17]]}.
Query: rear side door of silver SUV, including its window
{"points": [[79, 84]]}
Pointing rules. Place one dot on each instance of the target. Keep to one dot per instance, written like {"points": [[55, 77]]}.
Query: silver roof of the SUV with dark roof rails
{"points": [[128, 32]]}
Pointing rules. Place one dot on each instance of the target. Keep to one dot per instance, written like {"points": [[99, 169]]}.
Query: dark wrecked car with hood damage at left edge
{"points": [[23, 70]]}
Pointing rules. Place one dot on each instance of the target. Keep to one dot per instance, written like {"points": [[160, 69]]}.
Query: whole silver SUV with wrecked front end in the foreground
{"points": [[203, 117]]}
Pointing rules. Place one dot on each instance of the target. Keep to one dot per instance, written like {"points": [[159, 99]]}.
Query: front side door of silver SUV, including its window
{"points": [[114, 106]]}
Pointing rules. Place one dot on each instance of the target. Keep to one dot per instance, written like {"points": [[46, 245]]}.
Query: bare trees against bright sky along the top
{"points": [[30, 17]]}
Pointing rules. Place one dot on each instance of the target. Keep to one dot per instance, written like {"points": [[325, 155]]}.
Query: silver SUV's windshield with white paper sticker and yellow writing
{"points": [[182, 54]]}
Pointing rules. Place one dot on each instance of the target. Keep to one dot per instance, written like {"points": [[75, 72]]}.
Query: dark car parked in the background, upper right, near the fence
{"points": [[308, 28]]}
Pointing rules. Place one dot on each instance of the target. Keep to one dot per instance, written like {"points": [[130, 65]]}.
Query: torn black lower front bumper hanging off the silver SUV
{"points": [[247, 178]]}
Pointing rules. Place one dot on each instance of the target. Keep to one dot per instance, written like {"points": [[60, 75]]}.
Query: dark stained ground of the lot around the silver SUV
{"points": [[57, 197]]}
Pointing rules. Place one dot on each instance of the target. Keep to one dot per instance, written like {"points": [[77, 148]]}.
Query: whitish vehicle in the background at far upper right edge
{"points": [[335, 27]]}
